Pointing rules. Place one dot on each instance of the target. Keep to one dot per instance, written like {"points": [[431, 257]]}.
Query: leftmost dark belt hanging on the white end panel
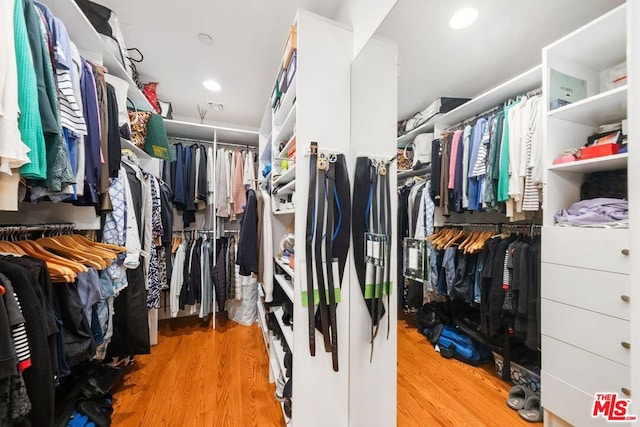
{"points": [[308, 243]]}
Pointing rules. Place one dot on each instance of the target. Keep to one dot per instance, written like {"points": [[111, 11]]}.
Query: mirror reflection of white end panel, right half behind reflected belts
{"points": [[372, 385]]}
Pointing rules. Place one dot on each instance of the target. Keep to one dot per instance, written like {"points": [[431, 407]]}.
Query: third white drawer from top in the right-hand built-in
{"points": [[594, 332]]}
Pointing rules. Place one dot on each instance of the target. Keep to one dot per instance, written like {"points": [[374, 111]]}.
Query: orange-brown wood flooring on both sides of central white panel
{"points": [[199, 377]]}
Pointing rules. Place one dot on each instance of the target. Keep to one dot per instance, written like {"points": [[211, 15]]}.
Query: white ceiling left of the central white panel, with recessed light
{"points": [[248, 37]]}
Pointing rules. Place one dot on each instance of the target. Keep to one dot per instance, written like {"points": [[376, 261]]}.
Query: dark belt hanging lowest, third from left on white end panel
{"points": [[328, 245]]}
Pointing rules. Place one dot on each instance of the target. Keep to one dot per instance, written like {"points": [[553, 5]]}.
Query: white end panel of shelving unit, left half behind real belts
{"points": [[320, 395]]}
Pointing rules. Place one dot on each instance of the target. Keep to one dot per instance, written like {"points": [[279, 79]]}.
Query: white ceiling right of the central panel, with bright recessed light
{"points": [[506, 39]]}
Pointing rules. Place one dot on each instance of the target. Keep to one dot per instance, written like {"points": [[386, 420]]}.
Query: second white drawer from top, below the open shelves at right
{"points": [[601, 291]]}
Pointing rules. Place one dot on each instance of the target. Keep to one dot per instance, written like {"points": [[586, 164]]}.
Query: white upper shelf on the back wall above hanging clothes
{"points": [[181, 129]]}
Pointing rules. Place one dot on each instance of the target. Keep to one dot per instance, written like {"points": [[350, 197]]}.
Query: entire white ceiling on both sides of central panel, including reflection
{"points": [[248, 37]]}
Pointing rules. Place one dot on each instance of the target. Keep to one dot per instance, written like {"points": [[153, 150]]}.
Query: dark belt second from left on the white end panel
{"points": [[323, 165]]}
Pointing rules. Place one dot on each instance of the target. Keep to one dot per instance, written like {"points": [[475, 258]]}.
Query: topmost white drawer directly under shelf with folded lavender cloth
{"points": [[594, 248]]}
